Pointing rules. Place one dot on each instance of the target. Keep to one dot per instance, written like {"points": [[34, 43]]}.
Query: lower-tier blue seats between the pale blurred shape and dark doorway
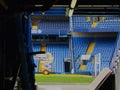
{"points": [[59, 51]]}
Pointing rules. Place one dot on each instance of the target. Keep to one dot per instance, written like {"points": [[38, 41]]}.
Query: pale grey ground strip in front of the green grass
{"points": [[61, 86]]}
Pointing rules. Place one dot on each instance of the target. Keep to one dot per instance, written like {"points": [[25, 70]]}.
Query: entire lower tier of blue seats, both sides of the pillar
{"points": [[81, 46]]}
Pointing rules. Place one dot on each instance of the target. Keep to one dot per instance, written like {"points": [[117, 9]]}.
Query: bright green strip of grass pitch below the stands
{"points": [[63, 78]]}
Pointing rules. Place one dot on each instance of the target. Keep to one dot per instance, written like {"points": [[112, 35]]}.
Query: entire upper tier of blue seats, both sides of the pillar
{"points": [[61, 25]]}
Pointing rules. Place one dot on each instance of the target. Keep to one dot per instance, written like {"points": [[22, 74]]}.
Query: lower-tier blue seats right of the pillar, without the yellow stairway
{"points": [[105, 46]]}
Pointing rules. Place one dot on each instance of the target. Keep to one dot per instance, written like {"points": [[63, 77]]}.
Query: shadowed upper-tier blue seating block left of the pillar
{"points": [[52, 25]]}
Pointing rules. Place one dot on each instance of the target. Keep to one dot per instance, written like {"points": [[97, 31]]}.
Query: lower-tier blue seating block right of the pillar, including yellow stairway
{"points": [[105, 46]]}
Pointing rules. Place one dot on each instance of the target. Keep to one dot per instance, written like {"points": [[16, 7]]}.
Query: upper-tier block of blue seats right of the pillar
{"points": [[108, 24]]}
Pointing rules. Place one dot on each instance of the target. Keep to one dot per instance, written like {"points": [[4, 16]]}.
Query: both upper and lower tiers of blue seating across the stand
{"points": [[56, 25]]}
